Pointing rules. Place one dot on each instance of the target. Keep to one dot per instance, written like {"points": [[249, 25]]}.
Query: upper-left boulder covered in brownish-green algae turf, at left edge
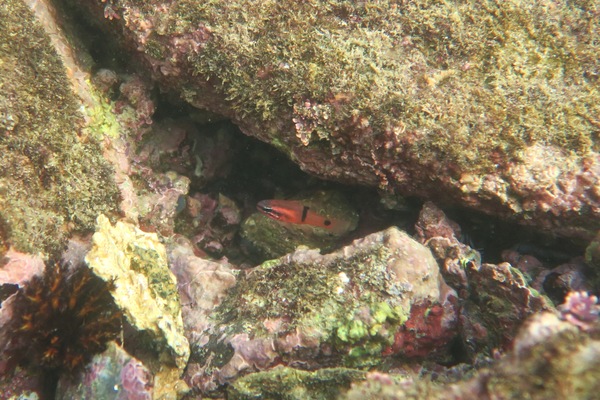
{"points": [[53, 181]]}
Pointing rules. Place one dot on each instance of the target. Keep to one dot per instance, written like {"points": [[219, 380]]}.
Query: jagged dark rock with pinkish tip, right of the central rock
{"points": [[494, 299]]}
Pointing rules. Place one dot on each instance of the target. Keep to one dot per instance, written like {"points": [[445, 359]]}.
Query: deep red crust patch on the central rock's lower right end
{"points": [[428, 330]]}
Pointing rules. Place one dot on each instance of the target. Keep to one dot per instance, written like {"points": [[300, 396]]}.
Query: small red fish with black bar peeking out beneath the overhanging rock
{"points": [[296, 212]]}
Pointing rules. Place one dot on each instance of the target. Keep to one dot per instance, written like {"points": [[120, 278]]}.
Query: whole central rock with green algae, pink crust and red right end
{"points": [[381, 296]]}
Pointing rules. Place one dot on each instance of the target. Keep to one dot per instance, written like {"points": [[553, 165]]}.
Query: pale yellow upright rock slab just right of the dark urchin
{"points": [[146, 292]]}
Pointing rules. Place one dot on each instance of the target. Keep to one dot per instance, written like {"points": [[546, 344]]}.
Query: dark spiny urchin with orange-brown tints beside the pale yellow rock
{"points": [[61, 318]]}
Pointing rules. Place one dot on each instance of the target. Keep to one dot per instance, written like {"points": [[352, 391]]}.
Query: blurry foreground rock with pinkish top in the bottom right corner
{"points": [[551, 359]]}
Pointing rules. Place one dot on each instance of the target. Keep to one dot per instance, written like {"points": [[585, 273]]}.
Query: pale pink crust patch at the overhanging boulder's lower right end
{"points": [[548, 188]]}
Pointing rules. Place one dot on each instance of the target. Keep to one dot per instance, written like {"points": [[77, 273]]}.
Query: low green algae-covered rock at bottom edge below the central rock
{"points": [[284, 383]]}
